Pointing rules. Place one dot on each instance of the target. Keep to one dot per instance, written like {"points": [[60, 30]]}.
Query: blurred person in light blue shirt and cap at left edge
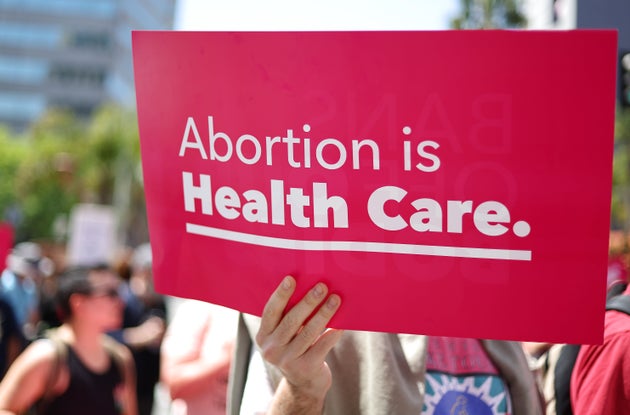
{"points": [[25, 270]]}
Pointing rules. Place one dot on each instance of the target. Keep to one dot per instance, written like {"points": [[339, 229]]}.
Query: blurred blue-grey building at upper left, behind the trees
{"points": [[74, 54]]}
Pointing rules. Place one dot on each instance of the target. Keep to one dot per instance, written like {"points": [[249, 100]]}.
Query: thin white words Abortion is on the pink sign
{"points": [[329, 153]]}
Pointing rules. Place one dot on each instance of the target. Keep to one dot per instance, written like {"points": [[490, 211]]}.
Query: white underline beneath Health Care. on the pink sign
{"points": [[355, 246]]}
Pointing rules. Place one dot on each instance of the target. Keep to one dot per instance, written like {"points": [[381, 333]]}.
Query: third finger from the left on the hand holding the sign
{"points": [[311, 332]]}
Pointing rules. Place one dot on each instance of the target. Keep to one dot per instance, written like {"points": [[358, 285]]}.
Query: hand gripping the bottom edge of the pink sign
{"points": [[297, 342]]}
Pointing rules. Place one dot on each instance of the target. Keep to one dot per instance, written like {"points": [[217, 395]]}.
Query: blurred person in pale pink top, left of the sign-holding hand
{"points": [[196, 357]]}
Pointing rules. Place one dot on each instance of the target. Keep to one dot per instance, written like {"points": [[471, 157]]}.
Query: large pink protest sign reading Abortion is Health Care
{"points": [[446, 183]]}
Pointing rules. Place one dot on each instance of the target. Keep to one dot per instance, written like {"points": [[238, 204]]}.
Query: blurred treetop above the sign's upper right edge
{"points": [[490, 14]]}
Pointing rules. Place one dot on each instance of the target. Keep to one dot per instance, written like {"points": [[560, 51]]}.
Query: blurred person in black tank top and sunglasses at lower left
{"points": [[78, 369]]}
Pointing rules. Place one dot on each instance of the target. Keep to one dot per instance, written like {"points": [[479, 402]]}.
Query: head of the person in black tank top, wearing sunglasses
{"points": [[92, 294]]}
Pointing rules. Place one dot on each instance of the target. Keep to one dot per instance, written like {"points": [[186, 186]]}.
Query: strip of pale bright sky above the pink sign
{"points": [[314, 15]]}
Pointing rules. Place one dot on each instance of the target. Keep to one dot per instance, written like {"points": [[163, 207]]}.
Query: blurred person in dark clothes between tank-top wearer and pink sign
{"points": [[144, 322]]}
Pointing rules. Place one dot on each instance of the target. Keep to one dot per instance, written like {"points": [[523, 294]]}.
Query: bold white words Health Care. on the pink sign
{"points": [[491, 218]]}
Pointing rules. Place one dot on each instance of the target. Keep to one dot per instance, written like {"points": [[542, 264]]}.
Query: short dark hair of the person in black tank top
{"points": [[74, 280]]}
